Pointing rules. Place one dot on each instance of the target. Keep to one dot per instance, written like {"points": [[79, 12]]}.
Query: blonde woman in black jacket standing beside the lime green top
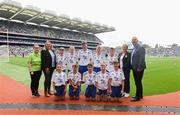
{"points": [[48, 64]]}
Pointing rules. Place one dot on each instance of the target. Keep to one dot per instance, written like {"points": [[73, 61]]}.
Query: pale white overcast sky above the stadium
{"points": [[152, 21]]}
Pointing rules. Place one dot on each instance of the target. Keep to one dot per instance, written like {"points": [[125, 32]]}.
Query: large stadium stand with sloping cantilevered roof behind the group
{"points": [[25, 26]]}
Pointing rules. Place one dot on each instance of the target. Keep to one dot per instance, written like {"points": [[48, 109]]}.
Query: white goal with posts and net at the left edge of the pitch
{"points": [[4, 49]]}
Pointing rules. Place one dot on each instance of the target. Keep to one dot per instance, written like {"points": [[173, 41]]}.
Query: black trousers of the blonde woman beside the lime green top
{"points": [[47, 81]]}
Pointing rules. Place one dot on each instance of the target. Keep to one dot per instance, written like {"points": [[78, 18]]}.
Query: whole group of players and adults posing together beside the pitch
{"points": [[103, 76]]}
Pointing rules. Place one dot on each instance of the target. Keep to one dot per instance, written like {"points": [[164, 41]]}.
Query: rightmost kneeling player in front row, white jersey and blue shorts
{"points": [[116, 82]]}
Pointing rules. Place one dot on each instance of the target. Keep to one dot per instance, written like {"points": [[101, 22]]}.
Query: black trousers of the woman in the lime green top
{"points": [[35, 81]]}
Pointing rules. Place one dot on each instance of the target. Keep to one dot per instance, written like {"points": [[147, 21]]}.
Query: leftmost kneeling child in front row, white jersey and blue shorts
{"points": [[59, 80]]}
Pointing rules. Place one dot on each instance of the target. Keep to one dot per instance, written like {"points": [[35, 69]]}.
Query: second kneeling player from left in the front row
{"points": [[74, 78]]}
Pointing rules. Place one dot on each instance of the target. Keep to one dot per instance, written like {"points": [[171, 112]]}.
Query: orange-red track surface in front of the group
{"points": [[14, 92]]}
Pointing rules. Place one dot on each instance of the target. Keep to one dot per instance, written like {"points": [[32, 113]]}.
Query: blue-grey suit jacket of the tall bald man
{"points": [[138, 58]]}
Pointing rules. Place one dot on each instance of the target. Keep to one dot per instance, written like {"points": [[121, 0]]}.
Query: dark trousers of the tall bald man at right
{"points": [[138, 75]]}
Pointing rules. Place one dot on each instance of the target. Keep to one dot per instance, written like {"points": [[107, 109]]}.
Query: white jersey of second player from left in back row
{"points": [[71, 59]]}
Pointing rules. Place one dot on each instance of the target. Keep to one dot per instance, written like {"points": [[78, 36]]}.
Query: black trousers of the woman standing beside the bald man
{"points": [[127, 81]]}
